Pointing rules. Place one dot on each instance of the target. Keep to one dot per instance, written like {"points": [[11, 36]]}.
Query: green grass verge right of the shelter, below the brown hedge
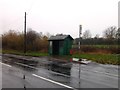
{"points": [[100, 58]]}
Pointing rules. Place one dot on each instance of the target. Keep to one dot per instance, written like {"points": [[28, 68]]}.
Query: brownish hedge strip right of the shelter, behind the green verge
{"points": [[101, 49]]}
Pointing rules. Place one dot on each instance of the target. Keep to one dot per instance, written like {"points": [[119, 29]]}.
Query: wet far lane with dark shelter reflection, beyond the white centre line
{"points": [[65, 72]]}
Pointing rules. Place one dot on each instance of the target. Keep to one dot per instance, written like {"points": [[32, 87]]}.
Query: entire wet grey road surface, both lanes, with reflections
{"points": [[43, 73]]}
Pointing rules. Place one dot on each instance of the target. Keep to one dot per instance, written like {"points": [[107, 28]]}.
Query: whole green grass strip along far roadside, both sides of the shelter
{"points": [[99, 58]]}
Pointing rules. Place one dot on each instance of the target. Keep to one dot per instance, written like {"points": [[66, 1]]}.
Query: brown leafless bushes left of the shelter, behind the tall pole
{"points": [[15, 41]]}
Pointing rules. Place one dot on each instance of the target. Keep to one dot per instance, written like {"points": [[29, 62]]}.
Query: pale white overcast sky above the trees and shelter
{"points": [[59, 16]]}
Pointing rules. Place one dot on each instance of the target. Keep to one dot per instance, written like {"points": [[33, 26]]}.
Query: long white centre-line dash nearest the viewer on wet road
{"points": [[53, 81]]}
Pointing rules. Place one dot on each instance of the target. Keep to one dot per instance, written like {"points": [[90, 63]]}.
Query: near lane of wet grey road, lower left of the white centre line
{"points": [[12, 77]]}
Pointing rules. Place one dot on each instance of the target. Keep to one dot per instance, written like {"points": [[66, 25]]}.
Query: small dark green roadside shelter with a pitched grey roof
{"points": [[60, 44]]}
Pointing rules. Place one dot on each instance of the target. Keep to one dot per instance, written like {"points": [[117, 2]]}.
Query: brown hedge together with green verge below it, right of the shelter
{"points": [[105, 54]]}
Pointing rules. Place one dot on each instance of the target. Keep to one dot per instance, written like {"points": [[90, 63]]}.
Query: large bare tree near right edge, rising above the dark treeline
{"points": [[110, 32]]}
